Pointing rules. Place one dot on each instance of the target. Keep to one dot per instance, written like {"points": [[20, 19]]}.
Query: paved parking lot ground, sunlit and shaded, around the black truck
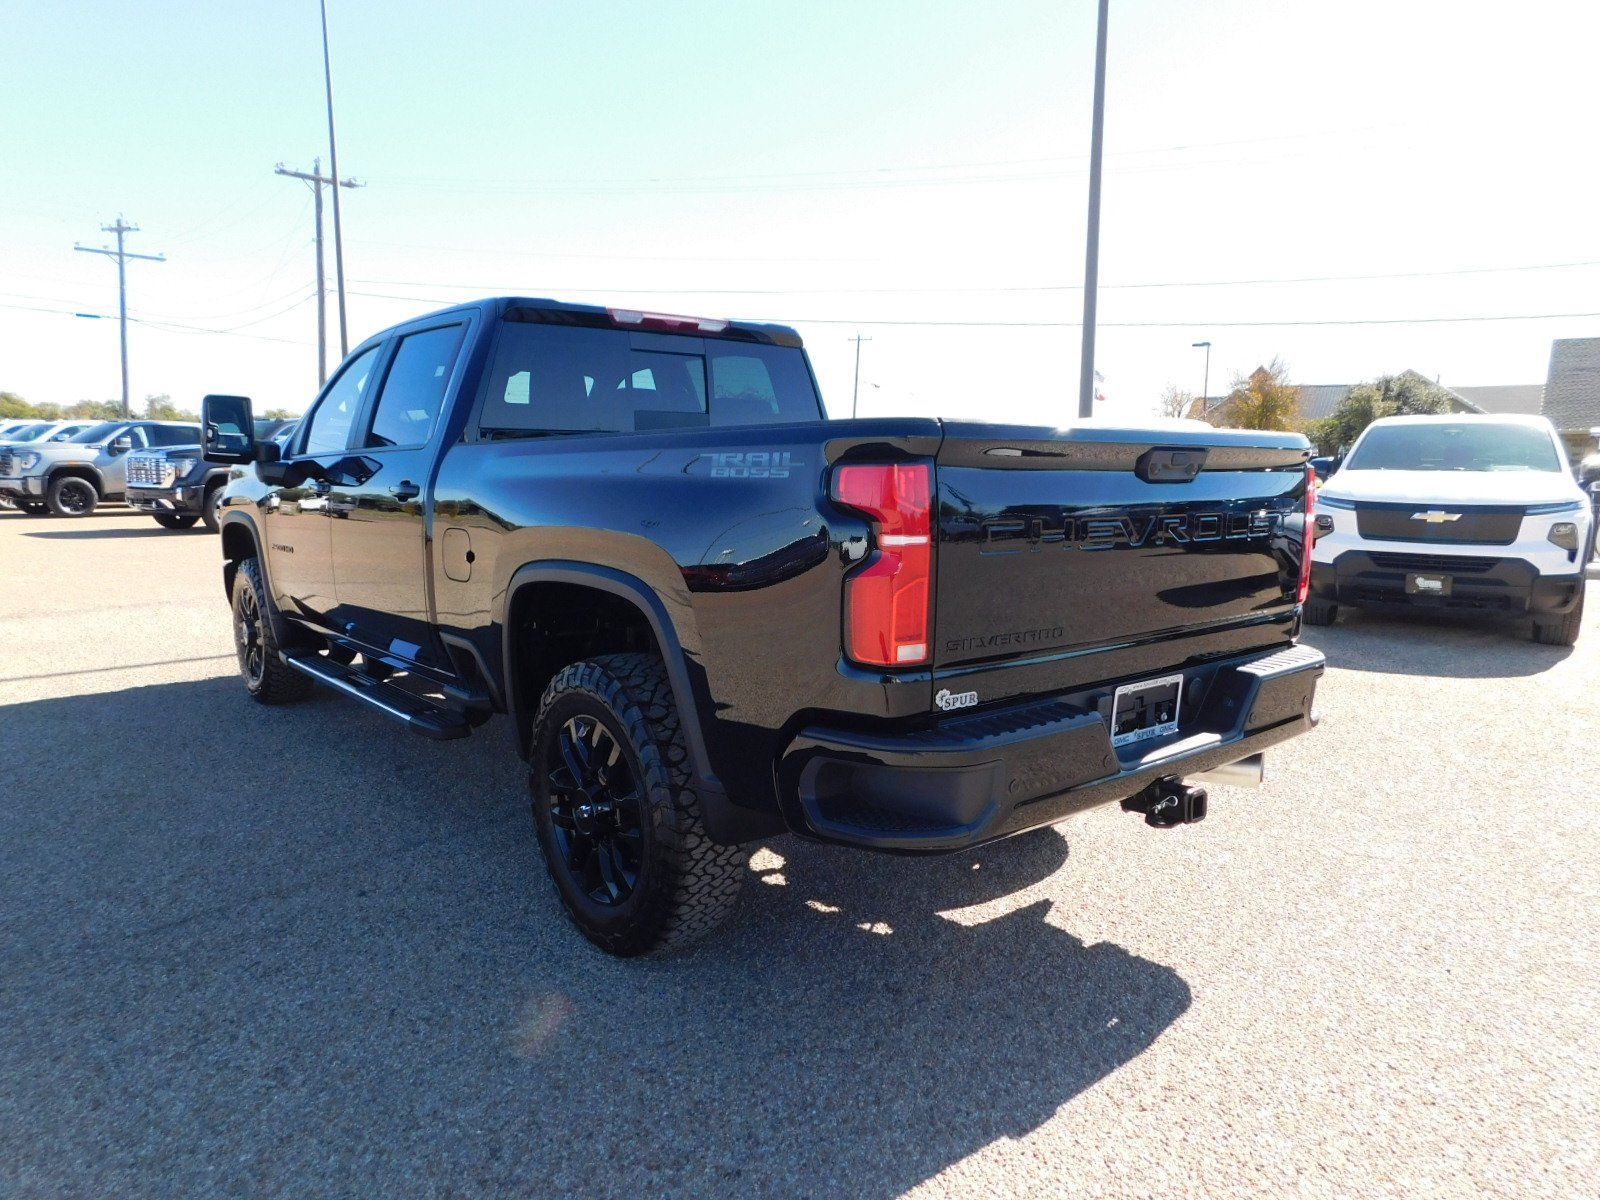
{"points": [[302, 953]]}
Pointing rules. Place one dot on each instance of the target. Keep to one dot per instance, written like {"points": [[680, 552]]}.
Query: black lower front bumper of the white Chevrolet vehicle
{"points": [[1482, 585]]}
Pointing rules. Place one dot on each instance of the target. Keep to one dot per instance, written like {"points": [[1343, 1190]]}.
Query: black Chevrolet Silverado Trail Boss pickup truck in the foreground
{"points": [[716, 615]]}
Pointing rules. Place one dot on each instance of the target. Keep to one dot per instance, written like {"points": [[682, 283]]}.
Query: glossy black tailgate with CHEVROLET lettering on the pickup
{"points": [[1094, 554]]}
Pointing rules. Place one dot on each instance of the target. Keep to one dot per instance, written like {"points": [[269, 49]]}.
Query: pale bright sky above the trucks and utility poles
{"points": [[838, 166]]}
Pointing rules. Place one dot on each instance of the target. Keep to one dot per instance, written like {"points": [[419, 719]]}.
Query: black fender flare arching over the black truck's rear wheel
{"points": [[644, 598]]}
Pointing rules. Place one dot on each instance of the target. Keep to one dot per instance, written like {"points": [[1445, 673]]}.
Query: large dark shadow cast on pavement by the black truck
{"points": [[298, 951]]}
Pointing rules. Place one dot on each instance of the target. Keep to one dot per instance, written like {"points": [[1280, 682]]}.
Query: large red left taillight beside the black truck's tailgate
{"points": [[887, 602]]}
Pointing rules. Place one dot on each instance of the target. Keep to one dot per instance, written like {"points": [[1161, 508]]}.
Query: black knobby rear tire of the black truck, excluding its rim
{"points": [[687, 884]]}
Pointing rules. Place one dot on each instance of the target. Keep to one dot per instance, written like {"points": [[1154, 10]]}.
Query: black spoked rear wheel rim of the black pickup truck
{"points": [[596, 807]]}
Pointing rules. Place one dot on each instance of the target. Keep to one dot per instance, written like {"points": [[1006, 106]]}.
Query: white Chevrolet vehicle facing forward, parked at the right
{"points": [[1455, 513]]}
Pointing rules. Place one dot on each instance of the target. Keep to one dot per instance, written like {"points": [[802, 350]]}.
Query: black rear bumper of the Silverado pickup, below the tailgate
{"points": [[1002, 772]]}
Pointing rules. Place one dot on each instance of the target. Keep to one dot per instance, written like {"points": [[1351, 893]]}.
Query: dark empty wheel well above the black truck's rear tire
{"points": [[554, 625]]}
